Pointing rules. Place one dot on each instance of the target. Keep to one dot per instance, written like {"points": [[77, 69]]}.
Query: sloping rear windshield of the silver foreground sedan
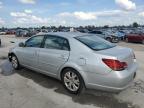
{"points": [[95, 43]]}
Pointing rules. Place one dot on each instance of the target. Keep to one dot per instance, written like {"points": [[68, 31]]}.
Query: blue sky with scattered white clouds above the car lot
{"points": [[34, 13]]}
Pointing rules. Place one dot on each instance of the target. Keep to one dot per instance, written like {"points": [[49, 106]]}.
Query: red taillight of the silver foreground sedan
{"points": [[115, 65]]}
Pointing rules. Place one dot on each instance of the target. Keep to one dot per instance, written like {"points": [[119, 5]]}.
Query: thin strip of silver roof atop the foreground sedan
{"points": [[65, 34]]}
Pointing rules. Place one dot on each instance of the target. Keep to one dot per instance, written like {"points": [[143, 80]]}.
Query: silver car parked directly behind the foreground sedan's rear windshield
{"points": [[106, 35]]}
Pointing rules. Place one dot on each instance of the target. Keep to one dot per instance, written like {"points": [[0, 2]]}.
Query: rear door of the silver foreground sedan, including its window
{"points": [[54, 54]]}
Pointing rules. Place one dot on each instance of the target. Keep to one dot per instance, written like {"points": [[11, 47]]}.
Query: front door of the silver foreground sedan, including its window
{"points": [[28, 55]]}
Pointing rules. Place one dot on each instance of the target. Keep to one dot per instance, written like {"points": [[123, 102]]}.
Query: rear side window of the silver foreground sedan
{"points": [[55, 42]]}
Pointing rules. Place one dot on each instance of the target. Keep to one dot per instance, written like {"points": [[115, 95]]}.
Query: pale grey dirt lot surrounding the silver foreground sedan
{"points": [[28, 89]]}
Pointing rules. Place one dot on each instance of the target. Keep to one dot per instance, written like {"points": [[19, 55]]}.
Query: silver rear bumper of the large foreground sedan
{"points": [[115, 81]]}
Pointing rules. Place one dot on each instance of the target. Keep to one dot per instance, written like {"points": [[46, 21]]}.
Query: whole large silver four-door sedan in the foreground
{"points": [[79, 60]]}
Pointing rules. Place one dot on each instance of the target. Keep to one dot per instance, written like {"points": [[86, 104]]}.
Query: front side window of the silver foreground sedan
{"points": [[34, 41]]}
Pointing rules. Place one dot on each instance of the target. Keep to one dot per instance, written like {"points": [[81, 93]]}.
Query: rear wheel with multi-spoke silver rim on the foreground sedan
{"points": [[73, 81]]}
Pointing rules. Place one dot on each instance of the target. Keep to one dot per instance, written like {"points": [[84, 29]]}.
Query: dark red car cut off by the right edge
{"points": [[135, 37]]}
